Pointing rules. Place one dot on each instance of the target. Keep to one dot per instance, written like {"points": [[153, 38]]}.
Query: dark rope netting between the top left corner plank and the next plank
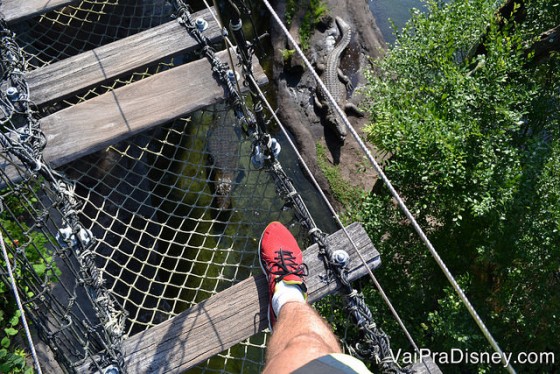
{"points": [[84, 25]]}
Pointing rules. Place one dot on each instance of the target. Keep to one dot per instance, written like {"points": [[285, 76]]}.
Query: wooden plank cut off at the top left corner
{"points": [[19, 10]]}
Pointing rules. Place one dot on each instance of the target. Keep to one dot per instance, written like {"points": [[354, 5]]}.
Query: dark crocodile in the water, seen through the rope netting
{"points": [[223, 167]]}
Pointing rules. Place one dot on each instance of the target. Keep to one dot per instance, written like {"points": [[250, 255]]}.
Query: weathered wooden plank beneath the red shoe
{"points": [[232, 315]]}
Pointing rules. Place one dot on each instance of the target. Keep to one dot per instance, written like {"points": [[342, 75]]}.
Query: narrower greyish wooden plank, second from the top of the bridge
{"points": [[64, 78]]}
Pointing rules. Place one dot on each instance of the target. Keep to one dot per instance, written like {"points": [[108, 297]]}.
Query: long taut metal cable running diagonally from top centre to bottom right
{"points": [[395, 195]]}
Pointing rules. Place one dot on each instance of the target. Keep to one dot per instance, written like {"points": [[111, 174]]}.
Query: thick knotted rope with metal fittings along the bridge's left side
{"points": [[24, 139]]}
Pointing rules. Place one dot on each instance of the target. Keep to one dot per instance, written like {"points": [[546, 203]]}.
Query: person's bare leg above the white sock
{"points": [[300, 335]]}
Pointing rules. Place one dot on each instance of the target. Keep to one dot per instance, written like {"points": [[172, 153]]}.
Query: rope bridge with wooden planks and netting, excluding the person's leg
{"points": [[136, 180]]}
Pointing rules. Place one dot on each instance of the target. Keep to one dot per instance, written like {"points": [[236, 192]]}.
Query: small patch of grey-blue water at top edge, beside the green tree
{"points": [[396, 11]]}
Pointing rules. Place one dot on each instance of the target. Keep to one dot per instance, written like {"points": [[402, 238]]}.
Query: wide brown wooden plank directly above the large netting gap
{"points": [[107, 119]]}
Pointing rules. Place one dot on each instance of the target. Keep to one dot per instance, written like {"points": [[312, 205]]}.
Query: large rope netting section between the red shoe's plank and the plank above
{"points": [[168, 238]]}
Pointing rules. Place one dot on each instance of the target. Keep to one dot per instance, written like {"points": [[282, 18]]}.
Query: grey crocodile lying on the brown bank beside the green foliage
{"points": [[336, 82]]}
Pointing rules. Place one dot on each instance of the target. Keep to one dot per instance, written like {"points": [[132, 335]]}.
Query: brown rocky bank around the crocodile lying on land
{"points": [[296, 86]]}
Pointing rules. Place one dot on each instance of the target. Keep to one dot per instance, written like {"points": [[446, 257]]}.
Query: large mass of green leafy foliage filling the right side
{"points": [[475, 139]]}
